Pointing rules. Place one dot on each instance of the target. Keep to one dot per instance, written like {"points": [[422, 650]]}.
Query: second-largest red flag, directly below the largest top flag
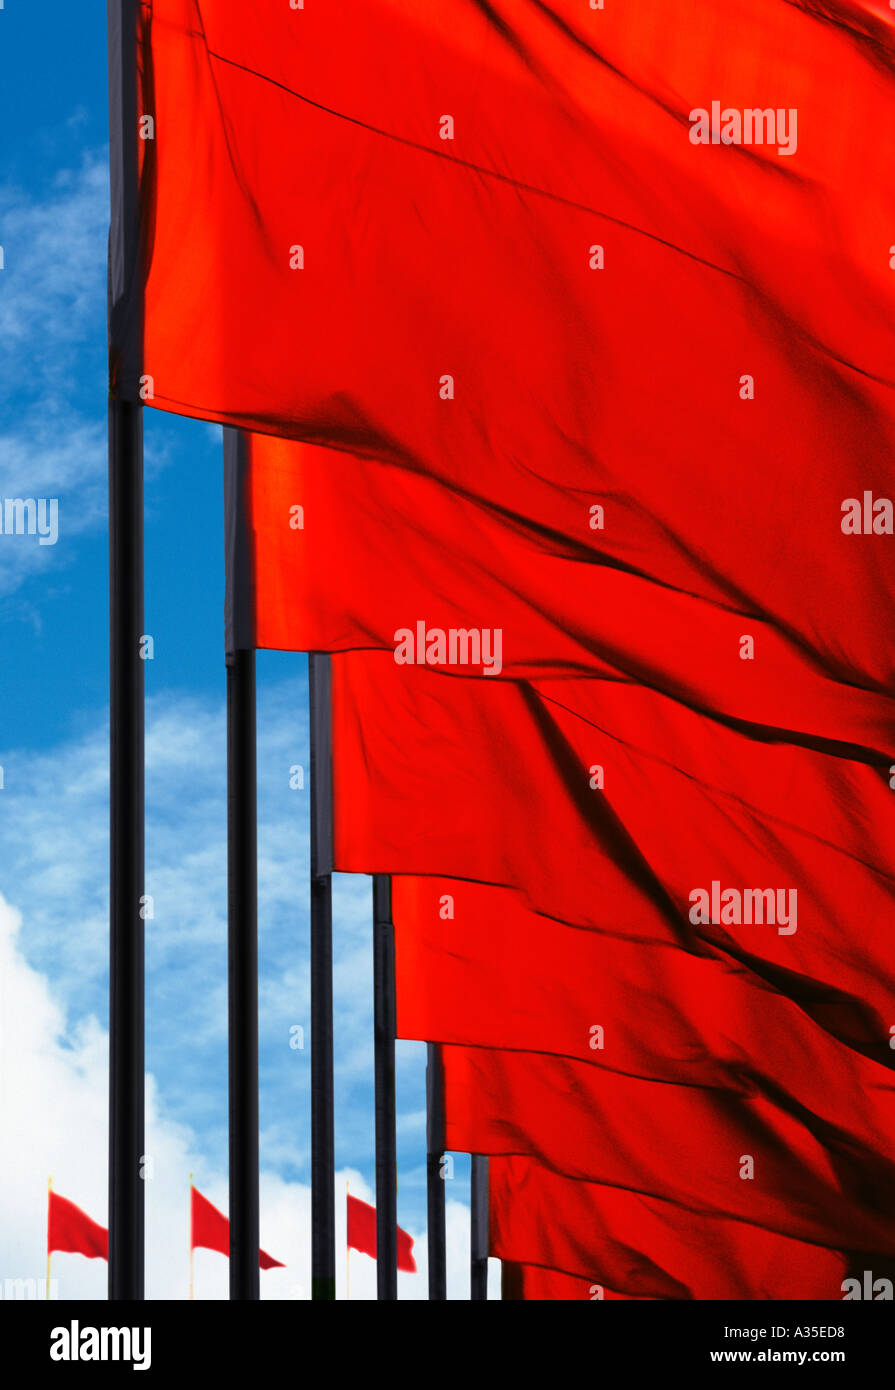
{"points": [[445, 561]]}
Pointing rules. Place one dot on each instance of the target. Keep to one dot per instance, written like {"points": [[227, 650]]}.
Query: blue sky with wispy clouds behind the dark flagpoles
{"points": [[54, 721]]}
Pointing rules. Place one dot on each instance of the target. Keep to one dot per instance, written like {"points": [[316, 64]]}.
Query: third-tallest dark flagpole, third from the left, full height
{"points": [[323, 1125]]}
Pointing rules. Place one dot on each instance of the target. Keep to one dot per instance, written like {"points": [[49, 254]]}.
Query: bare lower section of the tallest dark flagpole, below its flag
{"points": [[127, 843]]}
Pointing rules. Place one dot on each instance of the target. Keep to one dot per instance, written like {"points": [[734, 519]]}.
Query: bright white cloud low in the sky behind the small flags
{"points": [[54, 1088]]}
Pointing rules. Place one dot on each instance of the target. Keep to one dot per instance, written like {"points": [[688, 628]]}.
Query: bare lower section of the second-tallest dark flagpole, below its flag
{"points": [[243, 975]]}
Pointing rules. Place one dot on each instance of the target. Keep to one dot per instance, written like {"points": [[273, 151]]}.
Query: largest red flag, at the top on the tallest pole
{"points": [[265, 306]]}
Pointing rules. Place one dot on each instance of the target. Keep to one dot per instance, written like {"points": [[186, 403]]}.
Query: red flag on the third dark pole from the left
{"points": [[432, 774]]}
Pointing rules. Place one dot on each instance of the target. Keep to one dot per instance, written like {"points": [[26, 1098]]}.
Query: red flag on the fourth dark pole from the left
{"points": [[497, 975]]}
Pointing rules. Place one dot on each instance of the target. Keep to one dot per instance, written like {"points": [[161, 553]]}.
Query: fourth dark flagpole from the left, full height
{"points": [[386, 1028]]}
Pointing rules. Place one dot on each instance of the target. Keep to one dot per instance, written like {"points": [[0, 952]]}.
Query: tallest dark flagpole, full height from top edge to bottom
{"points": [[127, 728]]}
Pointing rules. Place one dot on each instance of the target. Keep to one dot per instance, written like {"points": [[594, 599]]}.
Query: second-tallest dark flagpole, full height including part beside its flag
{"points": [[243, 872]]}
